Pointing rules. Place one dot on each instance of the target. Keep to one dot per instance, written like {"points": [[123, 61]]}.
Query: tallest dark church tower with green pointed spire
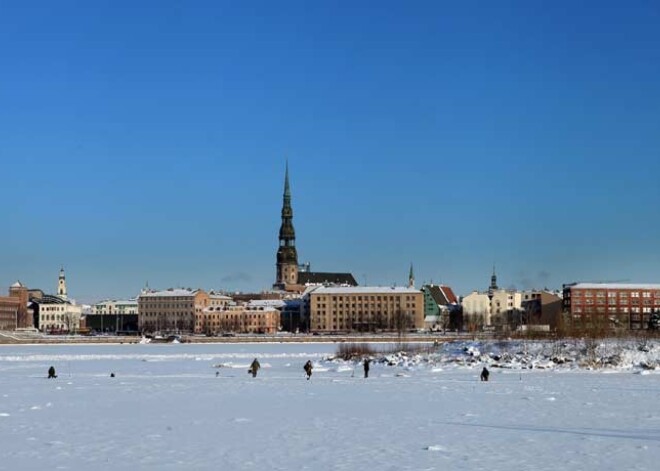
{"points": [[287, 256]]}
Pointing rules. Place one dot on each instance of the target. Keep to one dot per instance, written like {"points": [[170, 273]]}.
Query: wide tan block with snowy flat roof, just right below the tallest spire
{"points": [[346, 309]]}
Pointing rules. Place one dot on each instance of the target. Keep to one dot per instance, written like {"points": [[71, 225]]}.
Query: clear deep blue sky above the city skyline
{"points": [[146, 141]]}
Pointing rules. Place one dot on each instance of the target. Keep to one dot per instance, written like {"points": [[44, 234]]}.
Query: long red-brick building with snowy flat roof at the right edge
{"points": [[613, 304]]}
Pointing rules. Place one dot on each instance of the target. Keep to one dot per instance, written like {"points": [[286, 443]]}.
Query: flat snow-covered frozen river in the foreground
{"points": [[167, 410]]}
